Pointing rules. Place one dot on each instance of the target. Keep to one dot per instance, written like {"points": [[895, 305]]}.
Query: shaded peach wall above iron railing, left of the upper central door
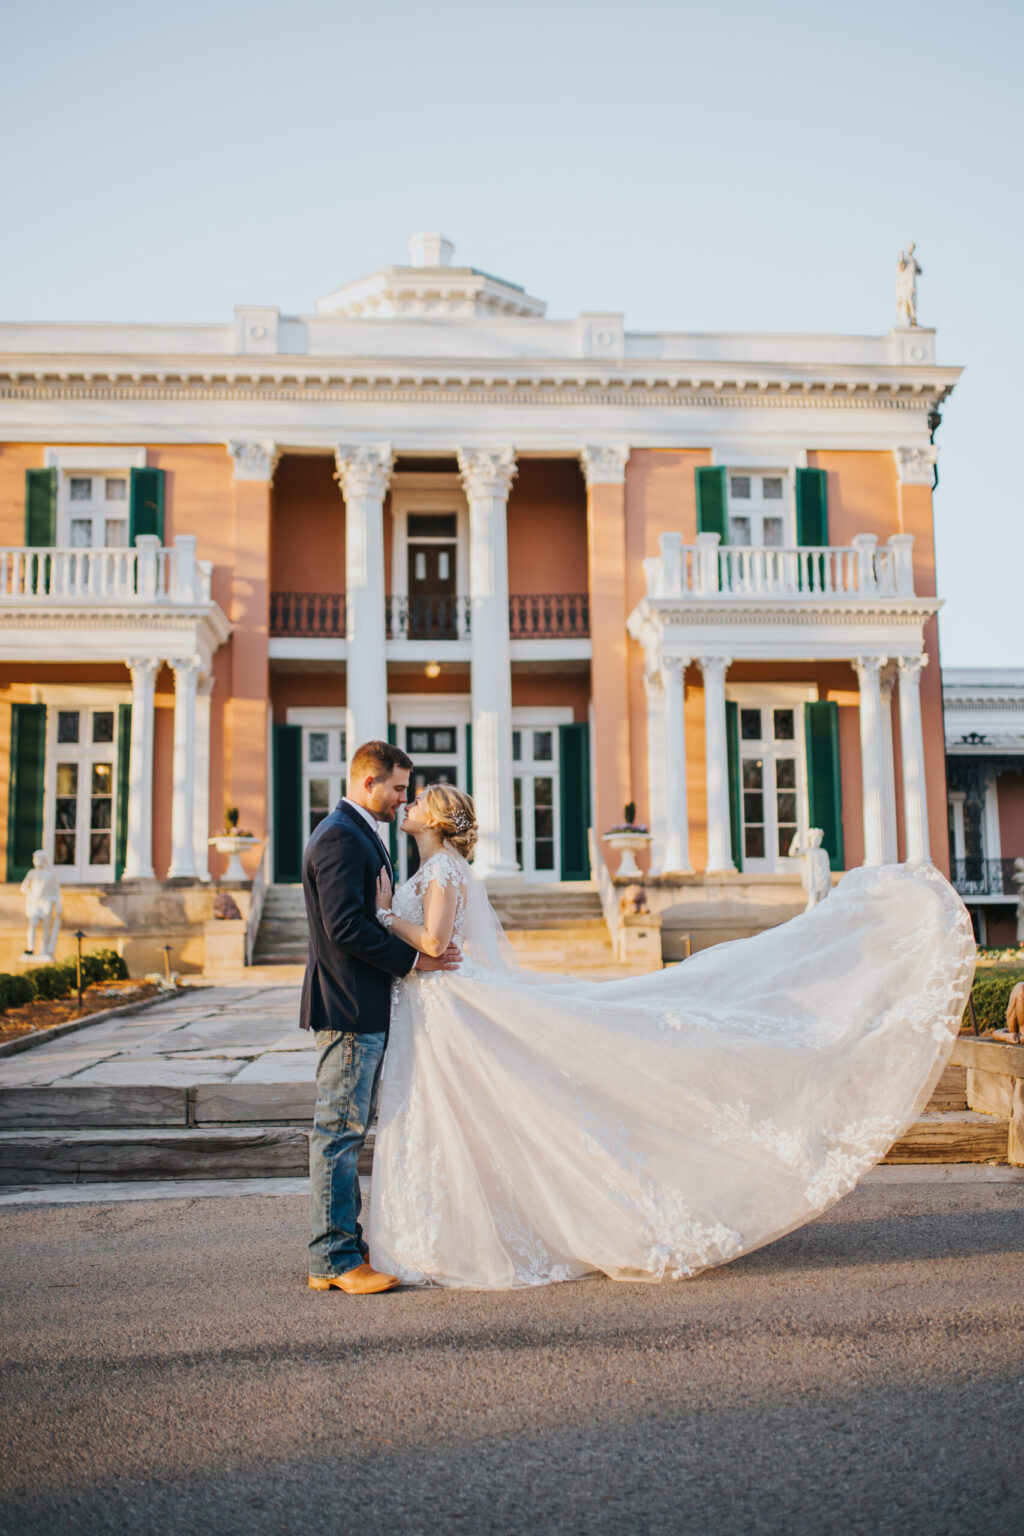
{"points": [[308, 526]]}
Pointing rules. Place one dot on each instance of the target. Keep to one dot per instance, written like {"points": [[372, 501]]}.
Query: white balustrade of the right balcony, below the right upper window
{"points": [[709, 569]]}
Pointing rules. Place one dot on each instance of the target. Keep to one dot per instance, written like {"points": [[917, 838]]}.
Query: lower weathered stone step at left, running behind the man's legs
{"points": [[76, 1157]]}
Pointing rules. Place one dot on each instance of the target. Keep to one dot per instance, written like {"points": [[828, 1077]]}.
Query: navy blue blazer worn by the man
{"points": [[352, 959]]}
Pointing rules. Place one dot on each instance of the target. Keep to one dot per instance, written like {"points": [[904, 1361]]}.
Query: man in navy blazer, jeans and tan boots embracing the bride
{"points": [[348, 1001]]}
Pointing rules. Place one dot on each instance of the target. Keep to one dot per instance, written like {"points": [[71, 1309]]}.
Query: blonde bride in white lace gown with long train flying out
{"points": [[540, 1128]]}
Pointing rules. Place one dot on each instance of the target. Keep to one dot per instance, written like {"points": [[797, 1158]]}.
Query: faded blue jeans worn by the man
{"points": [[348, 1076]]}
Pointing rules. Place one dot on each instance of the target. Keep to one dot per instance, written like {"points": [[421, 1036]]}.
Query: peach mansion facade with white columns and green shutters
{"points": [[564, 564]]}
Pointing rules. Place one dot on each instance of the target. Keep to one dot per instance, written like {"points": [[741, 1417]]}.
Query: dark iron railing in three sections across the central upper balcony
{"points": [[322, 615]]}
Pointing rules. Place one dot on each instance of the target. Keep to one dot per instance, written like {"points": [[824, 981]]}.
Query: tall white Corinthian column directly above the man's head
{"points": [[365, 477]]}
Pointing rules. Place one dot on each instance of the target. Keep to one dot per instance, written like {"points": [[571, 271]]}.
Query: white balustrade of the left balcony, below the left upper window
{"points": [[147, 574]]}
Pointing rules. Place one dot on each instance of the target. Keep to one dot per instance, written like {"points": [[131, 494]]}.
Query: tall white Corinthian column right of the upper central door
{"points": [[487, 475]]}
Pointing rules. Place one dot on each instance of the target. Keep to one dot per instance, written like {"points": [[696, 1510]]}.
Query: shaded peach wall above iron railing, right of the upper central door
{"points": [[547, 528]]}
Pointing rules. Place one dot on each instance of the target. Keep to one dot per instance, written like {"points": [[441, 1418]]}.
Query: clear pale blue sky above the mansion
{"points": [[718, 167]]}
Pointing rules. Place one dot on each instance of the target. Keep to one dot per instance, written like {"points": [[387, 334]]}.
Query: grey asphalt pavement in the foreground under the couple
{"points": [[167, 1371]]}
